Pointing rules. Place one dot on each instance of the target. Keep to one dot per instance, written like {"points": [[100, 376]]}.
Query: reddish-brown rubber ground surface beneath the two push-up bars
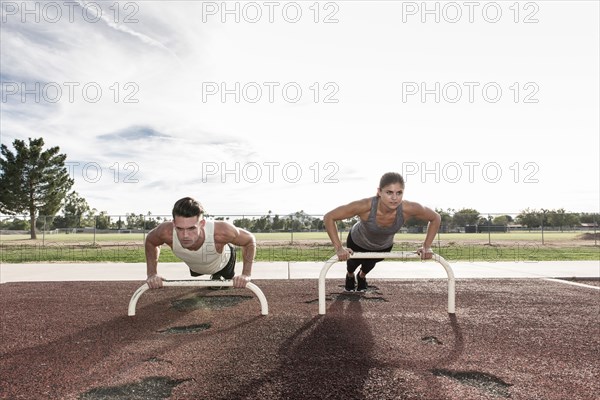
{"points": [[518, 339]]}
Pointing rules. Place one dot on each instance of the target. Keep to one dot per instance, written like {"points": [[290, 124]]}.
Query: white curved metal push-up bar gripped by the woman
{"points": [[396, 254]]}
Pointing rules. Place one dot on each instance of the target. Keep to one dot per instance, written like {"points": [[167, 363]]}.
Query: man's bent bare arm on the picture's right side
{"points": [[228, 233]]}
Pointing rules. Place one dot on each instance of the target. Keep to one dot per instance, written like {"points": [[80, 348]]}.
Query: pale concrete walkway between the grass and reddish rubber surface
{"points": [[47, 272]]}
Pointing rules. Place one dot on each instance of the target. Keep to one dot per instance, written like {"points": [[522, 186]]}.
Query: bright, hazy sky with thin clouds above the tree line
{"points": [[283, 106]]}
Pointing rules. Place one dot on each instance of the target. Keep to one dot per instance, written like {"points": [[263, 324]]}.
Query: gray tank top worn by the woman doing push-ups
{"points": [[370, 236]]}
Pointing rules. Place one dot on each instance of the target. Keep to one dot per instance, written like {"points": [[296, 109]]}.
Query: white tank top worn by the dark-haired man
{"points": [[205, 260]]}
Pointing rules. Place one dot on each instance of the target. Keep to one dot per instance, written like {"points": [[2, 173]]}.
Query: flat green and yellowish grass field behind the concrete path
{"points": [[306, 246]]}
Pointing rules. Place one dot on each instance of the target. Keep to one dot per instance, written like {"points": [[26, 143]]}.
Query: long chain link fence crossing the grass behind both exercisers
{"points": [[291, 227]]}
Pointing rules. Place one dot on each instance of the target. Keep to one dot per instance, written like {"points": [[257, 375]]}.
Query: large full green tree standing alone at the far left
{"points": [[33, 180]]}
